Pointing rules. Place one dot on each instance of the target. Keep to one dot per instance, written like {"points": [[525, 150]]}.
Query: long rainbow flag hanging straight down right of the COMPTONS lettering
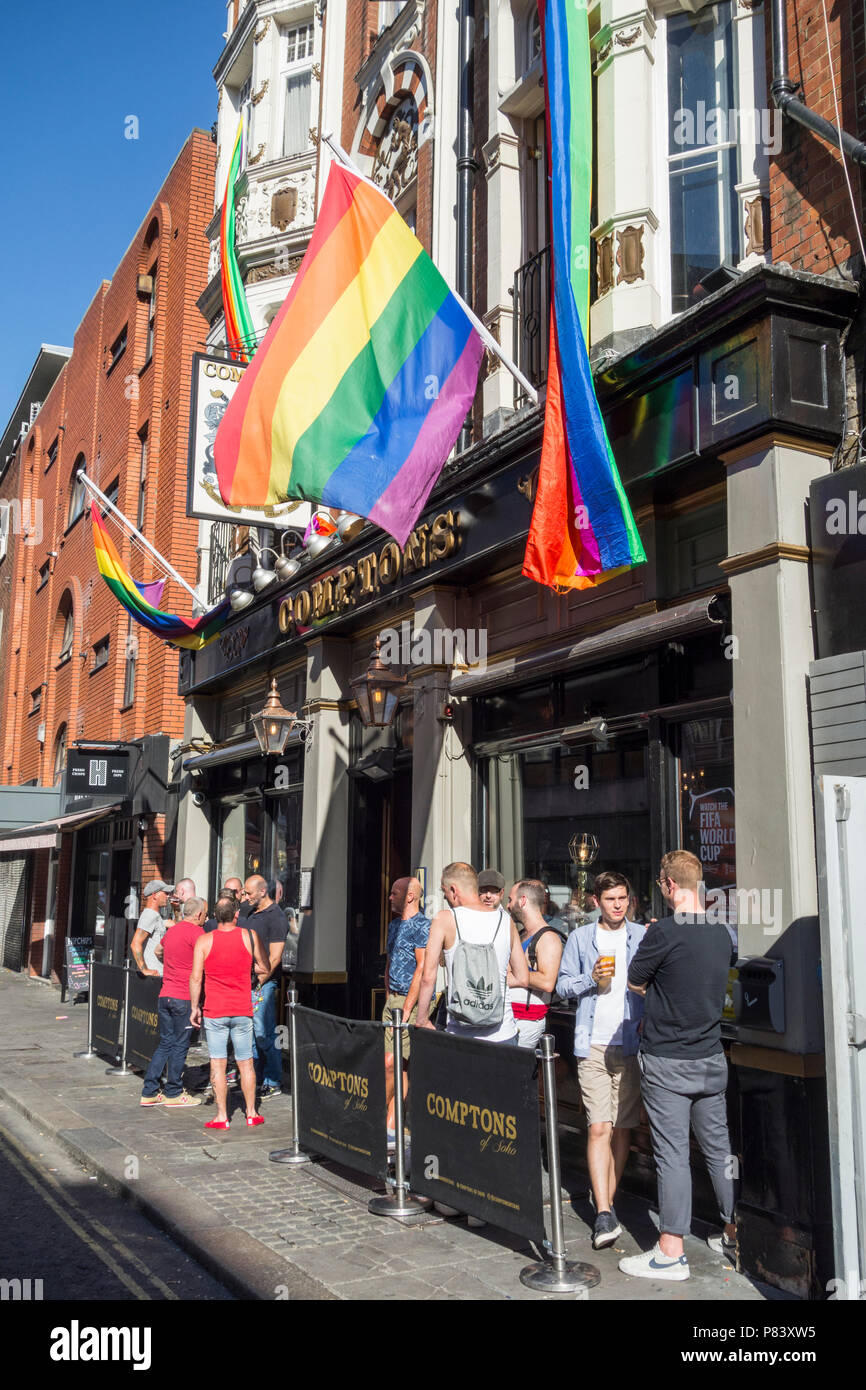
{"points": [[583, 530]]}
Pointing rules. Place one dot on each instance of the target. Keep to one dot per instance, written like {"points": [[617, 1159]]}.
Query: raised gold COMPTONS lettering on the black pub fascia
{"points": [[369, 576]]}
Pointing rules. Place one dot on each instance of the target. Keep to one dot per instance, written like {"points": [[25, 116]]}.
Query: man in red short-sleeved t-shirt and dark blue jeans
{"points": [[174, 1011]]}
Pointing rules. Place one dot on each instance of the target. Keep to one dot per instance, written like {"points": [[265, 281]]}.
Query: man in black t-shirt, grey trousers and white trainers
{"points": [[683, 968]]}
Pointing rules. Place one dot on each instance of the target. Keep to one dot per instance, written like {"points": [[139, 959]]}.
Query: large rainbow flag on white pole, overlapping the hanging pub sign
{"points": [[358, 393]]}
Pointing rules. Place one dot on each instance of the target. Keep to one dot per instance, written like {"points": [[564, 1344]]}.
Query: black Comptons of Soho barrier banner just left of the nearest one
{"points": [[341, 1090]]}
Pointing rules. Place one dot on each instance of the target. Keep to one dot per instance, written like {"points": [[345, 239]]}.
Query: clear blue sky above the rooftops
{"points": [[76, 188]]}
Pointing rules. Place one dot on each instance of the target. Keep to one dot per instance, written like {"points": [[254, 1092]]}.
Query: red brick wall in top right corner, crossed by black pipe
{"points": [[811, 218]]}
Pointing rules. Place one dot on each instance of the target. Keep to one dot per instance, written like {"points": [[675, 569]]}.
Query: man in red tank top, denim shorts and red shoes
{"points": [[224, 958]]}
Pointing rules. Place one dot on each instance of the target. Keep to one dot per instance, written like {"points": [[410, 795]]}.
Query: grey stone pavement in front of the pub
{"points": [[277, 1232]]}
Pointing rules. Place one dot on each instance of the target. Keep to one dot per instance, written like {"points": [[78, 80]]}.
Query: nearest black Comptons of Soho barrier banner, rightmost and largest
{"points": [[476, 1136]]}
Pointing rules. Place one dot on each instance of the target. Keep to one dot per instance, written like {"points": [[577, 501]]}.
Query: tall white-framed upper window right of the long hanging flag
{"points": [[703, 154]]}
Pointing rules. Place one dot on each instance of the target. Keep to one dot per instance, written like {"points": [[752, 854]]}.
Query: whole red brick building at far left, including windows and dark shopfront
{"points": [[77, 671]]}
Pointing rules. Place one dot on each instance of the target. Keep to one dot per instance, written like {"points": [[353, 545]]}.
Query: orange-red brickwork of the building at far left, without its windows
{"points": [[101, 415]]}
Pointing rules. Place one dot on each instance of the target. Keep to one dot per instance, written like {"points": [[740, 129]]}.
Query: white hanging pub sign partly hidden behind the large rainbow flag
{"points": [[215, 382]]}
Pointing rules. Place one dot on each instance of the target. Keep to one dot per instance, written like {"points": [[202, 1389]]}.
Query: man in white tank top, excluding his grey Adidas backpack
{"points": [[477, 925]]}
